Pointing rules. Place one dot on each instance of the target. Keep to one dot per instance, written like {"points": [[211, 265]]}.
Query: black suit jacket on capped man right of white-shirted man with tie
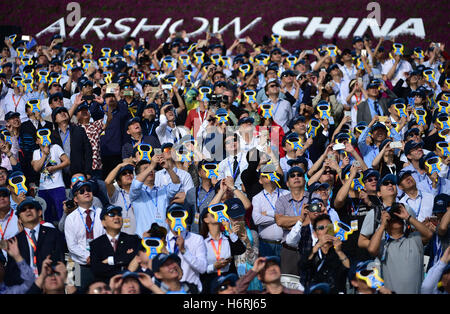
{"points": [[101, 249]]}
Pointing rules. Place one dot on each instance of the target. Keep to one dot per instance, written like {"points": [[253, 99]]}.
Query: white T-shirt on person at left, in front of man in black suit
{"points": [[55, 179]]}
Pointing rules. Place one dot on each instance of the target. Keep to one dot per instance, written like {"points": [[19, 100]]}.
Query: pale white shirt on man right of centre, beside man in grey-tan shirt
{"points": [[265, 202]]}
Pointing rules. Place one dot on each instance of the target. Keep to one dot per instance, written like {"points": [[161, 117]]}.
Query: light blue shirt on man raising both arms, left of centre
{"points": [[150, 204]]}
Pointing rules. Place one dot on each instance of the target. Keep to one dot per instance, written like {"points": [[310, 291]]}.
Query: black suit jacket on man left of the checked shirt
{"points": [[80, 149]]}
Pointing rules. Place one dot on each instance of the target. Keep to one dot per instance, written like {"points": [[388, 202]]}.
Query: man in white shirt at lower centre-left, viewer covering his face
{"points": [[188, 246]]}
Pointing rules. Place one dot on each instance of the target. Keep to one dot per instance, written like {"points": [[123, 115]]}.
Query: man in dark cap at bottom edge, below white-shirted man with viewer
{"points": [[167, 269]]}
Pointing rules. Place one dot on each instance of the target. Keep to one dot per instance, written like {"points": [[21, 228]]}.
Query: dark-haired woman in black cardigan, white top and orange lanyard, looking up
{"points": [[220, 248]]}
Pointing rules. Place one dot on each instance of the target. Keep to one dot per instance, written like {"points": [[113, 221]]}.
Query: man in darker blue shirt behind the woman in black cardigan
{"points": [[197, 200]]}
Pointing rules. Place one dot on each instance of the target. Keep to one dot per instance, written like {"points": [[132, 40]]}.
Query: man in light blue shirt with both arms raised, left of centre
{"points": [[150, 201]]}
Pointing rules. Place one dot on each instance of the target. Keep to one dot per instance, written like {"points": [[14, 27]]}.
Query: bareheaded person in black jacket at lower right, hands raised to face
{"points": [[326, 262]]}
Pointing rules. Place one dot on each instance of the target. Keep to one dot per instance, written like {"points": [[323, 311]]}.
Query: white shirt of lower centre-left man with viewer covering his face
{"points": [[194, 260]]}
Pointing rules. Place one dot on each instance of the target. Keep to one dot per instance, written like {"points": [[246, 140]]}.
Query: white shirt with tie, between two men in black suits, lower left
{"points": [[75, 232]]}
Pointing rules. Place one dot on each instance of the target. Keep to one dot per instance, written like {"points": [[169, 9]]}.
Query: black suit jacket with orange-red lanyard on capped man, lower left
{"points": [[50, 242]]}
